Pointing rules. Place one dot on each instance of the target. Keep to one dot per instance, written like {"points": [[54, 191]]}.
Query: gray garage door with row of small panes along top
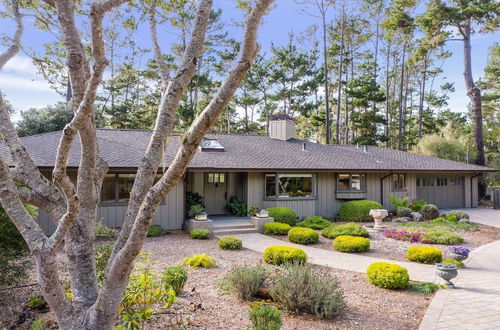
{"points": [[444, 192]]}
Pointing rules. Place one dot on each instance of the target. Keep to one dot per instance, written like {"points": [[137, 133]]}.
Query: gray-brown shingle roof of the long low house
{"points": [[124, 148]]}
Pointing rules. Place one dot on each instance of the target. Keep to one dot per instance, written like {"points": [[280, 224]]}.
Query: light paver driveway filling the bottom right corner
{"points": [[474, 303]]}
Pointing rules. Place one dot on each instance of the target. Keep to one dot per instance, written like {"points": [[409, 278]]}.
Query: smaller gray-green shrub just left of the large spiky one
{"points": [[244, 281]]}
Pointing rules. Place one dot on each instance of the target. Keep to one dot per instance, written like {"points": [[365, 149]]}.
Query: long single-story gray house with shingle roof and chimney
{"points": [[267, 171]]}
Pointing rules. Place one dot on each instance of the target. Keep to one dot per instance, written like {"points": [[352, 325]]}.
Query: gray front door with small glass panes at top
{"points": [[215, 193]]}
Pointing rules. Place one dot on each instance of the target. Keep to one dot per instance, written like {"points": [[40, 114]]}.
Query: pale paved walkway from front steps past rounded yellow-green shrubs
{"points": [[347, 261]]}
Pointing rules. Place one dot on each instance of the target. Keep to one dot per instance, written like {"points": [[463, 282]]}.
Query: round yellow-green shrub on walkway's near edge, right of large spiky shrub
{"points": [[388, 276]]}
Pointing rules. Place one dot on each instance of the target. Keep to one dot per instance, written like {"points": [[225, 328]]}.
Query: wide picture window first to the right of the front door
{"points": [[289, 185]]}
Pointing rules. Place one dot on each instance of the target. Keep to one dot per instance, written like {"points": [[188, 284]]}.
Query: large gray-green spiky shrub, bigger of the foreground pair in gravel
{"points": [[299, 289]]}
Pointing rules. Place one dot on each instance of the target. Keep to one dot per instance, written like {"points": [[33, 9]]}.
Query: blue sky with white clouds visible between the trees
{"points": [[24, 88]]}
